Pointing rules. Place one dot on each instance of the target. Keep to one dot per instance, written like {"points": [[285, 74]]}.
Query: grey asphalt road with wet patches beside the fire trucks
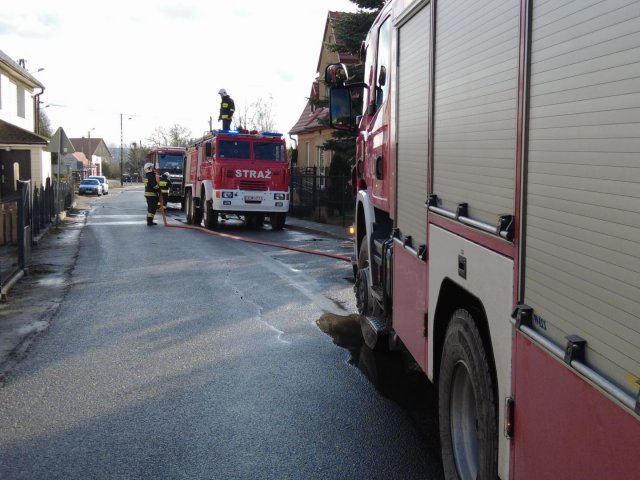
{"points": [[178, 354]]}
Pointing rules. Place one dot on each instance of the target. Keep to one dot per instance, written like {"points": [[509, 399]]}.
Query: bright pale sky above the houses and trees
{"points": [[161, 63]]}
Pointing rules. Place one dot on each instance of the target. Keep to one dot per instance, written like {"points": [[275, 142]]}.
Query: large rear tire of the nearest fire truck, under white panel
{"points": [[467, 407]]}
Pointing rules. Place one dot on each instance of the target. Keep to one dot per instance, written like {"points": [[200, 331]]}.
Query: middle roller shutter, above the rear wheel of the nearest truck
{"points": [[476, 99]]}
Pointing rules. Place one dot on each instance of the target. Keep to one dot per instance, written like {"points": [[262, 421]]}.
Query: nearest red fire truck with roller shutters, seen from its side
{"points": [[498, 224]]}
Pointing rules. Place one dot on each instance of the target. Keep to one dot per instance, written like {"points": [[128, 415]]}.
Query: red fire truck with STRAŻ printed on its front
{"points": [[237, 172]]}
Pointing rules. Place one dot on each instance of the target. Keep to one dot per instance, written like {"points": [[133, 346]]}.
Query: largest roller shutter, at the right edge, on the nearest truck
{"points": [[582, 259]]}
